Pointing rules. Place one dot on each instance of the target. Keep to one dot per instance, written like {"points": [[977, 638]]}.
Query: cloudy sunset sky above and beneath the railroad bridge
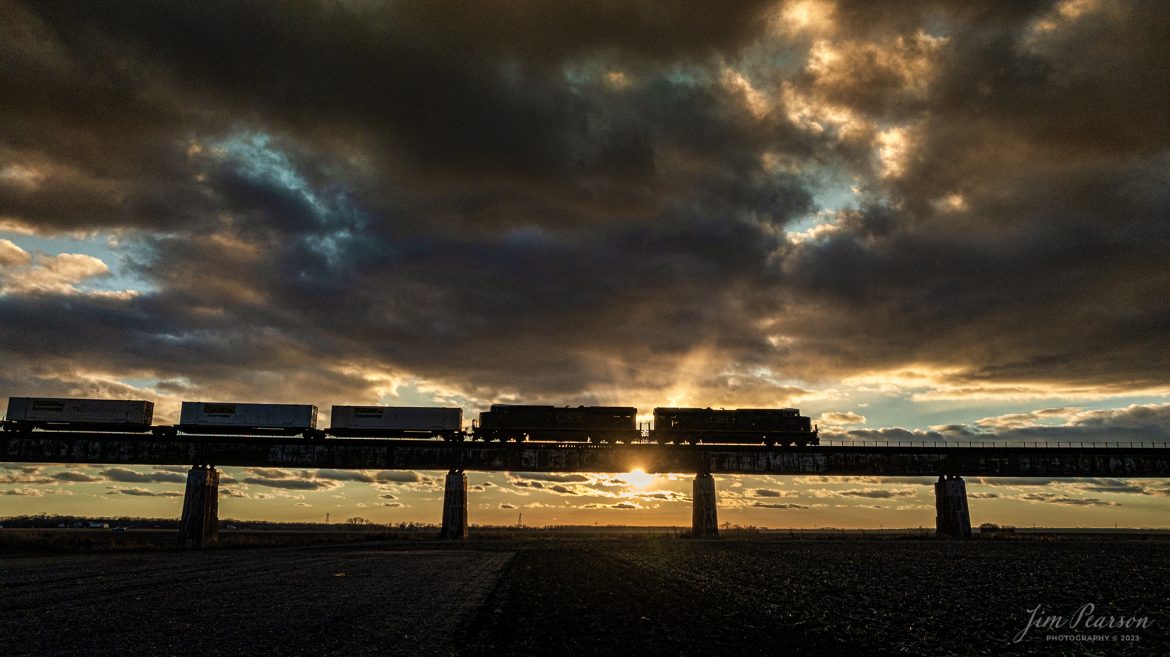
{"points": [[926, 222]]}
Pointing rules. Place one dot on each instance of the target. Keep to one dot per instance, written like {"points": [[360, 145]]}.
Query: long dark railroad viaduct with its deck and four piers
{"points": [[949, 464]]}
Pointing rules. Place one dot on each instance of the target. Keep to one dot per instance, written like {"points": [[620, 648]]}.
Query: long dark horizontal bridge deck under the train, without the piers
{"points": [[367, 454]]}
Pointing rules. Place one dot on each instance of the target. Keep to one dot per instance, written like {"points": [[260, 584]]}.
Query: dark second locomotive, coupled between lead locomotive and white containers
{"points": [[582, 424]]}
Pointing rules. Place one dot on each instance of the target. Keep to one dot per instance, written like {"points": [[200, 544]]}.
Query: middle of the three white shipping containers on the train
{"points": [[229, 417]]}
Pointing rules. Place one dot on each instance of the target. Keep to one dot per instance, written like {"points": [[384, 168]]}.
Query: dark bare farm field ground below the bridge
{"points": [[605, 597]]}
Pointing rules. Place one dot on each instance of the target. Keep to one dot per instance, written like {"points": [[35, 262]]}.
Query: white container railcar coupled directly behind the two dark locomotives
{"points": [[397, 423]]}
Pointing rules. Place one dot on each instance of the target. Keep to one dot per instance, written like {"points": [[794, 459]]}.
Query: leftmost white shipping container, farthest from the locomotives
{"points": [[81, 412]]}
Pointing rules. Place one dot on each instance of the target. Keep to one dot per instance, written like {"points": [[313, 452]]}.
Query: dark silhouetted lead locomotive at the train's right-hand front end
{"points": [[748, 426]]}
